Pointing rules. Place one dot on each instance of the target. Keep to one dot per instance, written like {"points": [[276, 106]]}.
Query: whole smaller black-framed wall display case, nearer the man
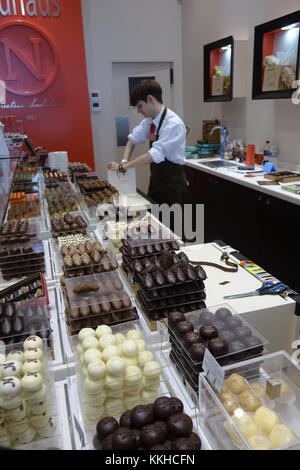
{"points": [[218, 70]]}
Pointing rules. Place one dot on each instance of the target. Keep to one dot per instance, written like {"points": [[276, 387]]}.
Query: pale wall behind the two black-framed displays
{"points": [[256, 121]]}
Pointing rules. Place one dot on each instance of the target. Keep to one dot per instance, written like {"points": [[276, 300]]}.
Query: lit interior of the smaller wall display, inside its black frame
{"points": [[220, 67]]}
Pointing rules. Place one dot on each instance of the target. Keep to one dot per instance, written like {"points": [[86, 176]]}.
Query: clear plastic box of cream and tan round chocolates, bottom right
{"points": [[257, 408]]}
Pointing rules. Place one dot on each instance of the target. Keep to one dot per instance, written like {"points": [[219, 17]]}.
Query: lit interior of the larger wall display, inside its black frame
{"points": [[279, 62]]}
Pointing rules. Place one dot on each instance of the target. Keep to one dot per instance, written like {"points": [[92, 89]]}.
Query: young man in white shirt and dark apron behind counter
{"points": [[166, 133]]}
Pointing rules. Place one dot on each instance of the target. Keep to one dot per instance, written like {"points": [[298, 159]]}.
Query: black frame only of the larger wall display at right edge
{"points": [[260, 31]]}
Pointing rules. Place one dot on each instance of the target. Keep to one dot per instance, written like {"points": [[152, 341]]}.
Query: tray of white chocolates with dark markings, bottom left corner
{"points": [[28, 407]]}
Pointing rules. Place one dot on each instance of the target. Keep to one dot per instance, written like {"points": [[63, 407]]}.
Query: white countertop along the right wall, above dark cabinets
{"points": [[232, 175]]}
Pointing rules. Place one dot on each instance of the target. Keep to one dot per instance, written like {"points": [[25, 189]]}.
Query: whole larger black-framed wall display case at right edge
{"points": [[276, 58]]}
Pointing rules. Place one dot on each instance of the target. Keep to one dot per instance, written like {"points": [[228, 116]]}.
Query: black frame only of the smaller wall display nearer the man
{"points": [[207, 48]]}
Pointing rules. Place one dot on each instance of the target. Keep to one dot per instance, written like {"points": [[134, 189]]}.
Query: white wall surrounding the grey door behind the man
{"points": [[132, 30]]}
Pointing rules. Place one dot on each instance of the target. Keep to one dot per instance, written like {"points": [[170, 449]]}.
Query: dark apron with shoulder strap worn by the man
{"points": [[167, 180]]}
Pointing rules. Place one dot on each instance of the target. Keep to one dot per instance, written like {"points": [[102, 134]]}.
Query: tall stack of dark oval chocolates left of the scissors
{"points": [[168, 282]]}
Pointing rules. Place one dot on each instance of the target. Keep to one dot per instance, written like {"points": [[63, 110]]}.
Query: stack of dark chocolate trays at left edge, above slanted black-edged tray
{"points": [[22, 259]]}
